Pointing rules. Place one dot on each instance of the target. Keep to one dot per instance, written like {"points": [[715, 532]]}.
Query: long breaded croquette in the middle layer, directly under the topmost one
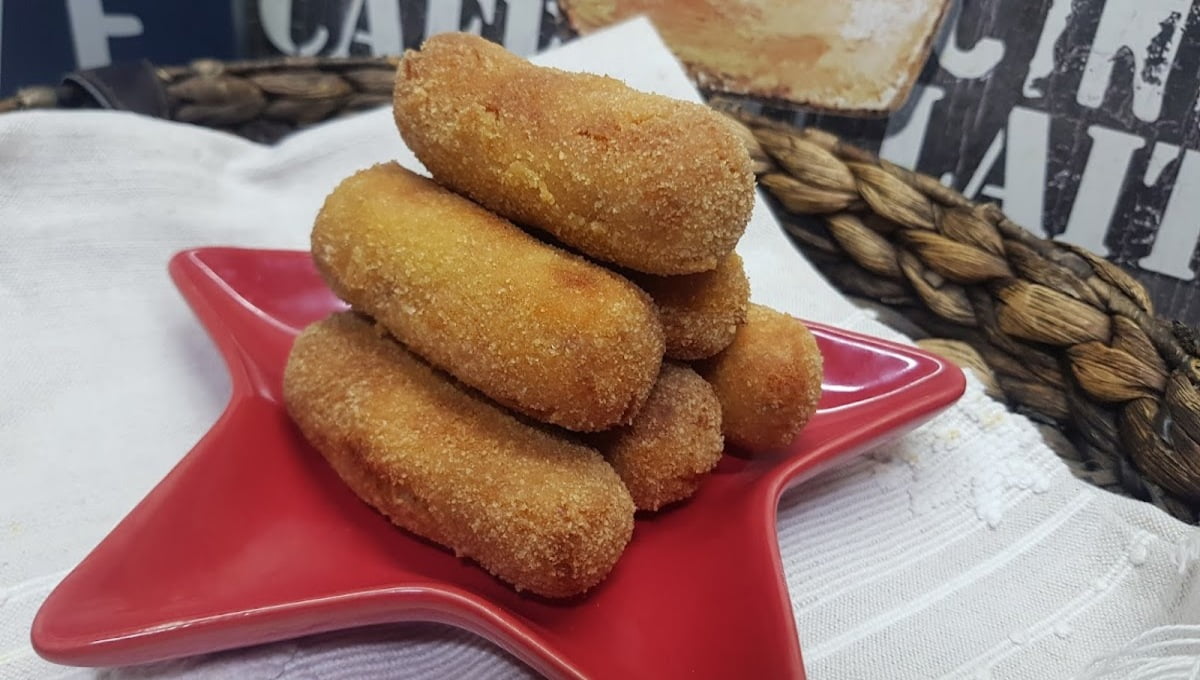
{"points": [[542, 332]]}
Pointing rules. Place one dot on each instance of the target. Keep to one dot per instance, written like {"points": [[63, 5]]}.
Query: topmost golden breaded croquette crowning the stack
{"points": [[635, 179]]}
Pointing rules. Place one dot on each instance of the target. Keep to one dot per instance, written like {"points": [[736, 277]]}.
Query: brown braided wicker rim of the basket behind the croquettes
{"points": [[1055, 332]]}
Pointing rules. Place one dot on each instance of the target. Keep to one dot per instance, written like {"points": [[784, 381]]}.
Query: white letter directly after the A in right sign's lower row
{"points": [[1100, 188]]}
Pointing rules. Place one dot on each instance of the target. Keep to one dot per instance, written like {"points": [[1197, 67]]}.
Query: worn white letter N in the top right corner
{"points": [[1150, 32]]}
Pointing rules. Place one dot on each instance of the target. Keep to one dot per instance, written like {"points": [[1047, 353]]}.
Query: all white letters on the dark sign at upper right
{"points": [[1147, 31]]}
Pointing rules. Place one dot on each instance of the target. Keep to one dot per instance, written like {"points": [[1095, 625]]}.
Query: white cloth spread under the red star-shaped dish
{"points": [[965, 550]]}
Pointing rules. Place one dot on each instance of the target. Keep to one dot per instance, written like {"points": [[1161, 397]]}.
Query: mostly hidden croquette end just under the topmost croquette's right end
{"points": [[700, 312]]}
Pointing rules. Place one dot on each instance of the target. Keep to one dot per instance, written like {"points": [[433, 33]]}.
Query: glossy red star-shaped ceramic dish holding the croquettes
{"points": [[254, 539]]}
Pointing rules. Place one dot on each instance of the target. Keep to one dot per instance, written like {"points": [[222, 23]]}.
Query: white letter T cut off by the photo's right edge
{"points": [[1179, 232]]}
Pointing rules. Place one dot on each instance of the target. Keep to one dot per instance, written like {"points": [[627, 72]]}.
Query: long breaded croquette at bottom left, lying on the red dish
{"points": [[536, 510]]}
